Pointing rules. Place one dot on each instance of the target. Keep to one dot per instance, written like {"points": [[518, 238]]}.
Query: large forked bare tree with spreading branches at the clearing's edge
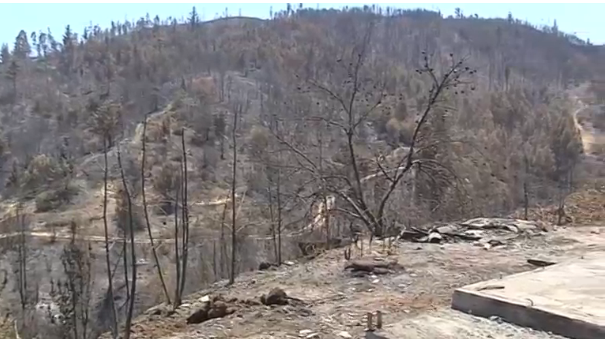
{"points": [[357, 97]]}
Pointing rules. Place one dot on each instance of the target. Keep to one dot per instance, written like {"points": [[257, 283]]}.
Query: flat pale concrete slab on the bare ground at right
{"points": [[566, 299]]}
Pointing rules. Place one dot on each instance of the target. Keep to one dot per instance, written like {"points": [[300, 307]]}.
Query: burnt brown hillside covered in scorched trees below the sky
{"points": [[385, 118]]}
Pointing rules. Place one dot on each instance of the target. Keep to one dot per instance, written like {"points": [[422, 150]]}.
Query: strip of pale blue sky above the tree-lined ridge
{"points": [[583, 19]]}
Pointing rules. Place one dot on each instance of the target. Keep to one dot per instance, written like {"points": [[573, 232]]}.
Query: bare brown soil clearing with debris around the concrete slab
{"points": [[328, 298]]}
